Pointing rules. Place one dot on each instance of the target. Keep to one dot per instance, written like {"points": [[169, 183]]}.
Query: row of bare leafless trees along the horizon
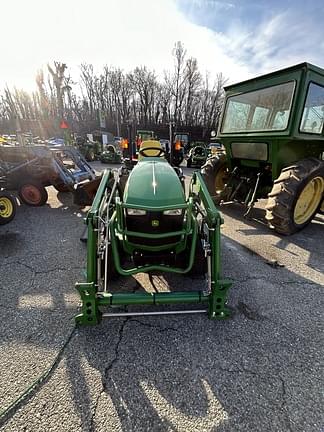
{"points": [[183, 95]]}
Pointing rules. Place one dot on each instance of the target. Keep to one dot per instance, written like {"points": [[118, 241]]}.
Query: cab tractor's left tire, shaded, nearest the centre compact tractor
{"points": [[215, 174]]}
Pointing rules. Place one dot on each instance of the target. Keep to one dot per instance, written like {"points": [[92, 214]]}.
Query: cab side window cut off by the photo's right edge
{"points": [[313, 114]]}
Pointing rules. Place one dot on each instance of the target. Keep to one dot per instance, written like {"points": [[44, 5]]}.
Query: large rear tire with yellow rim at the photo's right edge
{"points": [[296, 196]]}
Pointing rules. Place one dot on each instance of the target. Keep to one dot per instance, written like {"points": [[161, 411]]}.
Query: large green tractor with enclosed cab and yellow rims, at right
{"points": [[272, 131]]}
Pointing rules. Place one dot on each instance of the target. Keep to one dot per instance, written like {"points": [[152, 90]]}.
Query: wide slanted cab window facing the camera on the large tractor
{"points": [[261, 110]]}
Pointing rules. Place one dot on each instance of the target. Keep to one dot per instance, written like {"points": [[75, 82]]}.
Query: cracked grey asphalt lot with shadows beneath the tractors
{"points": [[262, 370]]}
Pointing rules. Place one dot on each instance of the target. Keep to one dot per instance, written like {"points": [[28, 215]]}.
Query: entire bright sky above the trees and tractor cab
{"points": [[240, 38]]}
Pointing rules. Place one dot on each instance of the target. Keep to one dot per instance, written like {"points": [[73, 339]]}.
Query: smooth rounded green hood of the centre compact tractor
{"points": [[154, 183]]}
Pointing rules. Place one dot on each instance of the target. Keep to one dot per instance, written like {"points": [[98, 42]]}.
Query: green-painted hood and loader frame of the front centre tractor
{"points": [[168, 195]]}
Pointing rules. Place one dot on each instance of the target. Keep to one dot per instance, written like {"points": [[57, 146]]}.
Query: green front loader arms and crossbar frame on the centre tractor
{"points": [[105, 220]]}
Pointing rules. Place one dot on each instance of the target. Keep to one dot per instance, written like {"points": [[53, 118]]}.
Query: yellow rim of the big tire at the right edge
{"points": [[308, 200]]}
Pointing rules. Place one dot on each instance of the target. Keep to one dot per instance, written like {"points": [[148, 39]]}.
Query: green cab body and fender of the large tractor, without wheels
{"points": [[286, 145]]}
